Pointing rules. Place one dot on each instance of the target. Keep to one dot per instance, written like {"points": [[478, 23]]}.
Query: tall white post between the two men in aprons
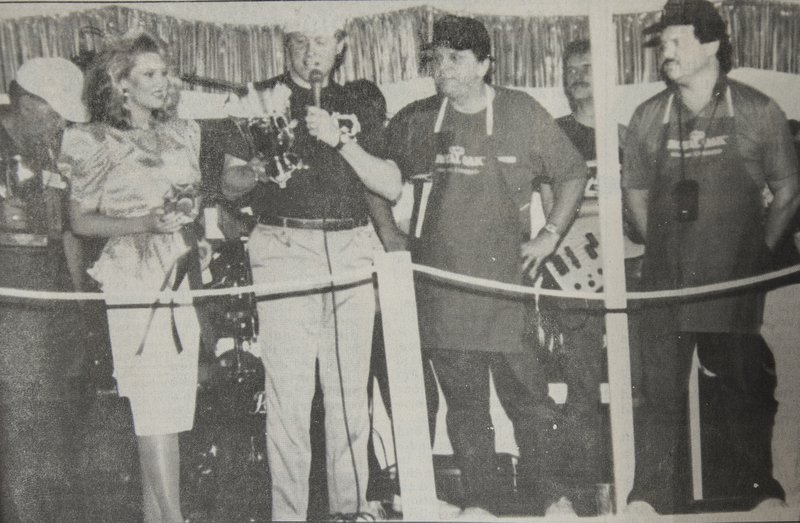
{"points": [[604, 71]]}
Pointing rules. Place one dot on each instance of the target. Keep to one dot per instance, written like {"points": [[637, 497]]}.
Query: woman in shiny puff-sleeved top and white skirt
{"points": [[126, 165]]}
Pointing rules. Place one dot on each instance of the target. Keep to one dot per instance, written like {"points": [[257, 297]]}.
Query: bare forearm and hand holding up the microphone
{"points": [[378, 175]]}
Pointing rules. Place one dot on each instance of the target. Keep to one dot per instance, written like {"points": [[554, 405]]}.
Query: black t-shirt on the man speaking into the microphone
{"points": [[329, 187]]}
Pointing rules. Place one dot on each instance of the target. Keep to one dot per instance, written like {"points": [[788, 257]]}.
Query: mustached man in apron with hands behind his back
{"points": [[711, 181]]}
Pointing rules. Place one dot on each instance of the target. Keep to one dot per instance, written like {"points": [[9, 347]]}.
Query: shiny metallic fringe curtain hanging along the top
{"points": [[387, 48]]}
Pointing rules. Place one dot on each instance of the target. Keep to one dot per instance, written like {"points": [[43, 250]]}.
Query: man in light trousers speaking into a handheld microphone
{"points": [[313, 221]]}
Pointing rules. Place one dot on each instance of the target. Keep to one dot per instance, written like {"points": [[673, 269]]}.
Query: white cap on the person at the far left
{"points": [[58, 82]]}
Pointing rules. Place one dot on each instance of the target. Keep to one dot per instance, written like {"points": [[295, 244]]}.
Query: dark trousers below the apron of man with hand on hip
{"points": [[522, 391]]}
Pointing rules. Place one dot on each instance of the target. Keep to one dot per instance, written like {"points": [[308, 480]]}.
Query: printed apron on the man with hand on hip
{"points": [[470, 226]]}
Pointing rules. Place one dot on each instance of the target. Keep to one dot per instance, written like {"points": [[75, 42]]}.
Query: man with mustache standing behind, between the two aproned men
{"points": [[576, 327]]}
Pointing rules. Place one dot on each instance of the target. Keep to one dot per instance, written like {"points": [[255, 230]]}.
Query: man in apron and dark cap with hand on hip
{"points": [[481, 146]]}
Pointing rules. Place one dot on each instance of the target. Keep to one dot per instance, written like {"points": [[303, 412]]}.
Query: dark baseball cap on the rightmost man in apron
{"points": [[708, 24]]}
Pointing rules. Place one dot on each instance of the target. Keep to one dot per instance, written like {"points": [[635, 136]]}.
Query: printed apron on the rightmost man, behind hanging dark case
{"points": [[725, 242]]}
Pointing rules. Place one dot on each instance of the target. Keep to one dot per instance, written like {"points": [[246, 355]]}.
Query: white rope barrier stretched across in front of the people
{"points": [[363, 275]]}
